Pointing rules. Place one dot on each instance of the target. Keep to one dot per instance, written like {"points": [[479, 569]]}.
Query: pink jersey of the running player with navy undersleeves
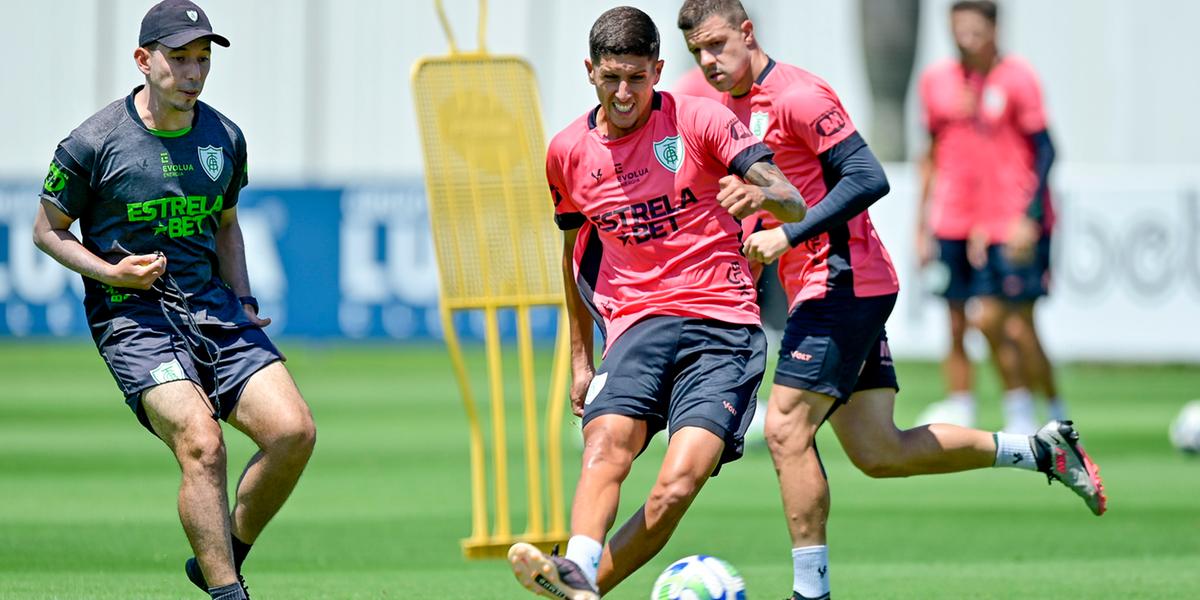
{"points": [[800, 117]]}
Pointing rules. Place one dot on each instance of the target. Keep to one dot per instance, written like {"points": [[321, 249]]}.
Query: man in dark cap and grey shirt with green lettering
{"points": [[154, 181]]}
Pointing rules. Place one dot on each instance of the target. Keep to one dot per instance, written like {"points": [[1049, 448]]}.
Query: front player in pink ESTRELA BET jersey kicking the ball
{"points": [[649, 190]]}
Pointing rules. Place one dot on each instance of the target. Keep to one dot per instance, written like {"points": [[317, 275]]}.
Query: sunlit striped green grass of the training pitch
{"points": [[88, 499]]}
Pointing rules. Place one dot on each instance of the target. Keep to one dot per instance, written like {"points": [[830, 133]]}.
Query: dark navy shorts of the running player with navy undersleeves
{"points": [[838, 346]]}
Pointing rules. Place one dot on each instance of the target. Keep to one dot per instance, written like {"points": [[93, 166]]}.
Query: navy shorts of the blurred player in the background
{"points": [[1000, 278]]}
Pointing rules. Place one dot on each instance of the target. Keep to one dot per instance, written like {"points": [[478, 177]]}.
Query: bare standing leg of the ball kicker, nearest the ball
{"points": [[693, 455]]}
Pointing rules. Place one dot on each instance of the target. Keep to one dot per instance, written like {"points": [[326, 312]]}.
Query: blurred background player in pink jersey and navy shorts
{"points": [[986, 202]]}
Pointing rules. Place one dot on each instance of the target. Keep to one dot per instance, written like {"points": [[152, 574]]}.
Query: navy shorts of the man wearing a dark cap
{"points": [[143, 357]]}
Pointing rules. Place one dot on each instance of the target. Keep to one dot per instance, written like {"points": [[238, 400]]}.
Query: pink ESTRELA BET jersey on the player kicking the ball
{"points": [[655, 239]]}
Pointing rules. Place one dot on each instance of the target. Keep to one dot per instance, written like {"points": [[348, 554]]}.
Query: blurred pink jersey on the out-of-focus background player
{"points": [[983, 159]]}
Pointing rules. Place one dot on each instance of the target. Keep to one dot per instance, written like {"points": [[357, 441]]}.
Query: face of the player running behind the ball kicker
{"points": [[723, 52]]}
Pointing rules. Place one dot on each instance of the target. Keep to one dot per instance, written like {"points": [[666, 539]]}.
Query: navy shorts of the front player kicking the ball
{"points": [[677, 373]]}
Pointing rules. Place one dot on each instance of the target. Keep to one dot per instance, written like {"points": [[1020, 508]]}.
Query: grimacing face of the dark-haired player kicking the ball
{"points": [[625, 86]]}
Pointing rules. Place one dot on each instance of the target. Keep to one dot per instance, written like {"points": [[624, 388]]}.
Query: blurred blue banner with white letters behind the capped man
{"points": [[325, 263]]}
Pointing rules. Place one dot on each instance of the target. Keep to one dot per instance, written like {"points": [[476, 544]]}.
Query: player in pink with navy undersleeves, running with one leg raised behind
{"points": [[835, 363]]}
